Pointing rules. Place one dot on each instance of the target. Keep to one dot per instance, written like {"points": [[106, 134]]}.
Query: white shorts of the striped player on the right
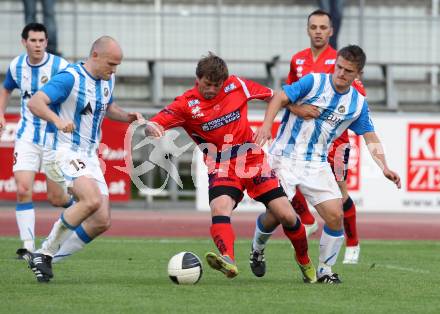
{"points": [[315, 179]]}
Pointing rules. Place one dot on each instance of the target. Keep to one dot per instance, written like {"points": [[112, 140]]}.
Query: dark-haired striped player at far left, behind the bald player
{"points": [[28, 73]]}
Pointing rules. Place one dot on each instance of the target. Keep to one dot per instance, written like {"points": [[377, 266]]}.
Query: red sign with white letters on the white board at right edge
{"points": [[423, 166]]}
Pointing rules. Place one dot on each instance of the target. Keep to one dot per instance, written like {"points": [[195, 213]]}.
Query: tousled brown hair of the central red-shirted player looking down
{"points": [[212, 68]]}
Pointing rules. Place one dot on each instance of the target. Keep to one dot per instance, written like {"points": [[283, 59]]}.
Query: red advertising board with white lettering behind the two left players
{"points": [[111, 152]]}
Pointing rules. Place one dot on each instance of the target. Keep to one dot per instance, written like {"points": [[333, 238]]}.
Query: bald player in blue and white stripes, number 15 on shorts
{"points": [[80, 97]]}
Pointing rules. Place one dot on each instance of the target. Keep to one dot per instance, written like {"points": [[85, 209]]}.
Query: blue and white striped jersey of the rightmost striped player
{"points": [[310, 140]]}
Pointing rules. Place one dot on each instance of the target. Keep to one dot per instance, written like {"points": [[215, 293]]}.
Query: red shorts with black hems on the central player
{"points": [[249, 172]]}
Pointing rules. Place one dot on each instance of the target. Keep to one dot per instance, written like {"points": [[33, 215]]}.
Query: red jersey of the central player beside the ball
{"points": [[221, 120]]}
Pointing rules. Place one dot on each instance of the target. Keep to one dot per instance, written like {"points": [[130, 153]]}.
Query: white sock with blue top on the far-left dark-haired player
{"points": [[25, 215]]}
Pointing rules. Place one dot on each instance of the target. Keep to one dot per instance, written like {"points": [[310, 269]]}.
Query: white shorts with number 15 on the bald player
{"points": [[64, 166]]}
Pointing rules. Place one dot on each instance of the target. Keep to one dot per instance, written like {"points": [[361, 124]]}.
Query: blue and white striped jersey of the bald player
{"points": [[77, 96]]}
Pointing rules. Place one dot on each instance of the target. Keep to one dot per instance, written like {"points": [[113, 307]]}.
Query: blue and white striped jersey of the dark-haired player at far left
{"points": [[29, 79]]}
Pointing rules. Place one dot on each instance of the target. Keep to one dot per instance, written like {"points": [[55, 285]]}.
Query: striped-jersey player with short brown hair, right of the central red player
{"points": [[299, 152]]}
